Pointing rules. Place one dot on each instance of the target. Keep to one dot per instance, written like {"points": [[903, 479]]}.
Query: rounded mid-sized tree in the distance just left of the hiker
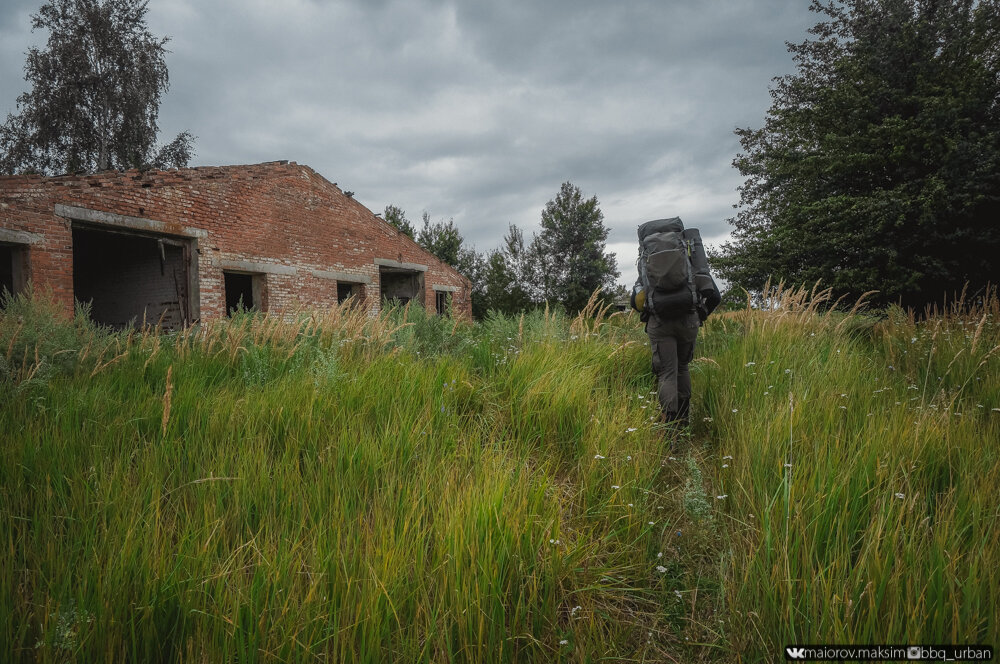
{"points": [[567, 258]]}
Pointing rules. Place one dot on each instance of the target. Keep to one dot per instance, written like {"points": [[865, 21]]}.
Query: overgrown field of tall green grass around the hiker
{"points": [[408, 488]]}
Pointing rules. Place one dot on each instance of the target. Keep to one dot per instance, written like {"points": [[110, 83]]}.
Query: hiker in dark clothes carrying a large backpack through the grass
{"points": [[674, 295]]}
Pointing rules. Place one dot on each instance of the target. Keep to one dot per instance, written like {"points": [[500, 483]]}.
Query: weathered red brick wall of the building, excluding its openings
{"points": [[280, 219]]}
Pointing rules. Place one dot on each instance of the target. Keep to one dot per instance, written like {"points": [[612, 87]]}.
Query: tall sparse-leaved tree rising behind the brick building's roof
{"points": [[95, 93]]}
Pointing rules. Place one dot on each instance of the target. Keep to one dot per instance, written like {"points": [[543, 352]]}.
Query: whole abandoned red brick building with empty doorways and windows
{"points": [[189, 244]]}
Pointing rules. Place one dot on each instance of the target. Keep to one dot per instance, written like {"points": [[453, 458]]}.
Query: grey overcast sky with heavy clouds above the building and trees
{"points": [[474, 110]]}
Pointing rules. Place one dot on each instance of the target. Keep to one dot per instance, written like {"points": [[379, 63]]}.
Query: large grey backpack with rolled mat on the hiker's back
{"points": [[673, 270]]}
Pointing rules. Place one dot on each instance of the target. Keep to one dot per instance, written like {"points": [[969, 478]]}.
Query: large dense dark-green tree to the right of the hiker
{"points": [[878, 165]]}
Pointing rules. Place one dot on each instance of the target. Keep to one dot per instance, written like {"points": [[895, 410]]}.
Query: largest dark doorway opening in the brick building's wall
{"points": [[130, 278]]}
